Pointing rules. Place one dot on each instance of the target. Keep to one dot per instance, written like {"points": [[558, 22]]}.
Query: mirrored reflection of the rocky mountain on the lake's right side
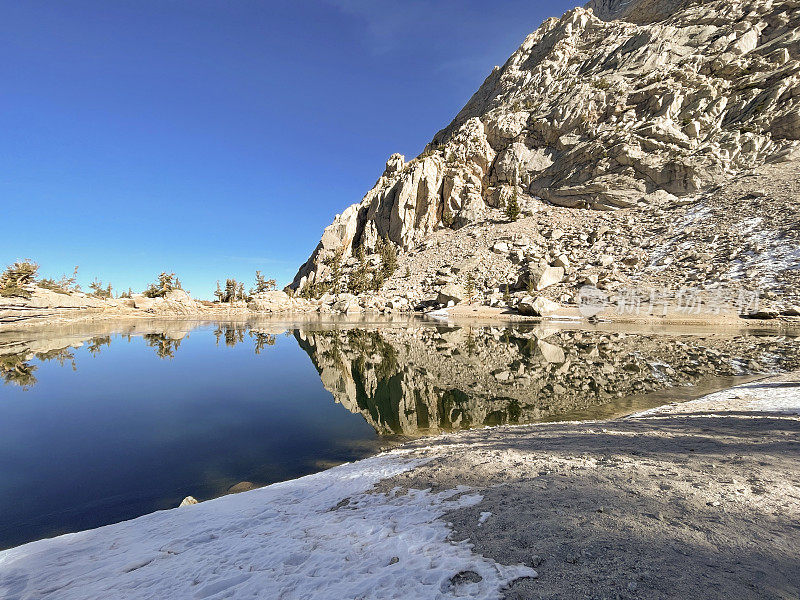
{"points": [[425, 380]]}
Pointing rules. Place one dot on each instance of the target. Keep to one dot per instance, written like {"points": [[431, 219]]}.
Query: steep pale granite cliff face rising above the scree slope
{"points": [[596, 113]]}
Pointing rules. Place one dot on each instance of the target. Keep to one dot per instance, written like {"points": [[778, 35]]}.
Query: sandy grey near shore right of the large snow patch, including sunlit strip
{"points": [[700, 498]]}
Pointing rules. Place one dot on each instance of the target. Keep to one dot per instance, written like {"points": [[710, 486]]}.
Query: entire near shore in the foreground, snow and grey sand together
{"points": [[698, 499]]}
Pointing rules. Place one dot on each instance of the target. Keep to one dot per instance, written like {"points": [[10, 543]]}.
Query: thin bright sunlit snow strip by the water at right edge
{"points": [[759, 396]]}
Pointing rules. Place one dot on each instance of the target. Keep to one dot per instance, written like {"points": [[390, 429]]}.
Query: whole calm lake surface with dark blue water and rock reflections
{"points": [[102, 422]]}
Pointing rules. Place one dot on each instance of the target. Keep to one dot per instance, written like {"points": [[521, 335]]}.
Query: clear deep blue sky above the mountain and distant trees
{"points": [[216, 137]]}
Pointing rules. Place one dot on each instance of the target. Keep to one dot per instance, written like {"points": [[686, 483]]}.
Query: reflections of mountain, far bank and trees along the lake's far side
{"points": [[419, 379]]}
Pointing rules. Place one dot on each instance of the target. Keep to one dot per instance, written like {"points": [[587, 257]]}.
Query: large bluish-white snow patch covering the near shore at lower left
{"points": [[322, 536]]}
